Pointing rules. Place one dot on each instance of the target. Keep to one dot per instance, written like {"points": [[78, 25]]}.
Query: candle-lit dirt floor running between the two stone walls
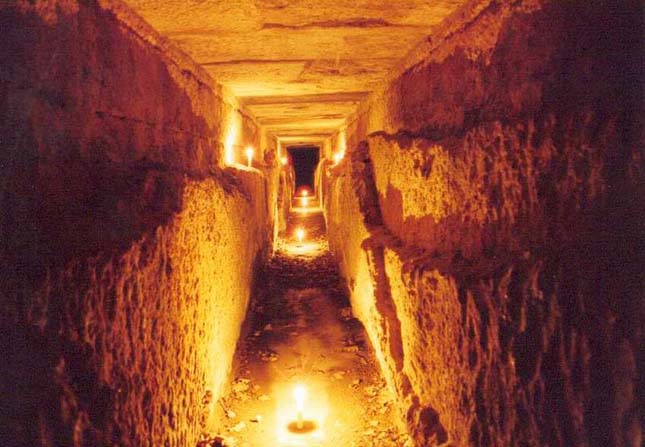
{"points": [[301, 334]]}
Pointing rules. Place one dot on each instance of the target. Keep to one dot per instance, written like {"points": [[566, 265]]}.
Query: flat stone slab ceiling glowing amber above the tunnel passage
{"points": [[300, 66]]}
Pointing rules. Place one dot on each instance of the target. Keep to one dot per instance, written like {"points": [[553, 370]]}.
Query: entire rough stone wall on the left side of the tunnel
{"points": [[127, 253]]}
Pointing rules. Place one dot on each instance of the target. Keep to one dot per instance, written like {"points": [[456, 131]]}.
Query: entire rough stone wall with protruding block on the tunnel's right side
{"points": [[509, 193]]}
